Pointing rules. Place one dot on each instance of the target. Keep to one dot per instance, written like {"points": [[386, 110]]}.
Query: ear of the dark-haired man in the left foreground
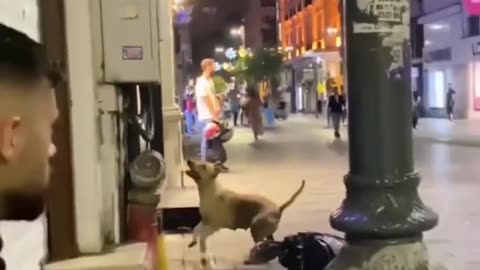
{"points": [[9, 137]]}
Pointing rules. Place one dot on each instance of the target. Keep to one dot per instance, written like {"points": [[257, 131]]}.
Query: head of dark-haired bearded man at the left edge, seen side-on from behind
{"points": [[28, 111]]}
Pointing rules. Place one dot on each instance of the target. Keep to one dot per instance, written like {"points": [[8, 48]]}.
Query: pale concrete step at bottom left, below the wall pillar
{"points": [[127, 257]]}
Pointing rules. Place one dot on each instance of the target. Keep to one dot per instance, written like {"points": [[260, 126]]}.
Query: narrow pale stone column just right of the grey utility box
{"points": [[172, 114]]}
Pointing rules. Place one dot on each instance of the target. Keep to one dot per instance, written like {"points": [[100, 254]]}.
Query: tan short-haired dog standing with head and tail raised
{"points": [[221, 208]]}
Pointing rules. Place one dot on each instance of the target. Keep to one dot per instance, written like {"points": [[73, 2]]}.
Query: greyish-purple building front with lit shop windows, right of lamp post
{"points": [[450, 58]]}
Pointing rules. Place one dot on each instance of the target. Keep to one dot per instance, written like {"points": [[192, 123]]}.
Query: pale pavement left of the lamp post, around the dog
{"points": [[266, 168]]}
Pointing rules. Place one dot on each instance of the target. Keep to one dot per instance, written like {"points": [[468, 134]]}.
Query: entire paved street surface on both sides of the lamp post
{"points": [[301, 148]]}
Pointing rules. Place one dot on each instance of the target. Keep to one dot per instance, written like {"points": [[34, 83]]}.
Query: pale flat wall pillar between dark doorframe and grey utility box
{"points": [[85, 131]]}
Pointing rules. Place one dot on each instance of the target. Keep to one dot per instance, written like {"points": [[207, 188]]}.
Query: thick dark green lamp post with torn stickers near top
{"points": [[382, 216]]}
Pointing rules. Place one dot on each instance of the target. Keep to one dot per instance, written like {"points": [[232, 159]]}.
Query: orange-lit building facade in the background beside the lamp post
{"points": [[310, 33]]}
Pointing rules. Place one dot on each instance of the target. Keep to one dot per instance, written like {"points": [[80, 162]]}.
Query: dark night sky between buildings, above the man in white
{"points": [[209, 28]]}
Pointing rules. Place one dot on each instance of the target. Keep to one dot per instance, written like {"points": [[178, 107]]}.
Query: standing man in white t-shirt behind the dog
{"points": [[208, 108]]}
